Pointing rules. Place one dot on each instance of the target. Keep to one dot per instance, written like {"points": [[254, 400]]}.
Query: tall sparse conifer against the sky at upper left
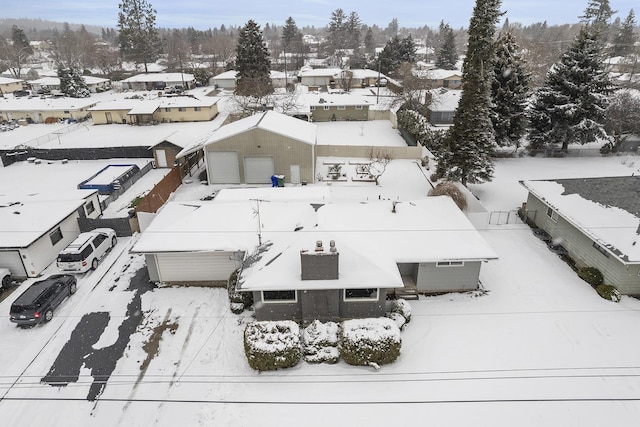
{"points": [[138, 38]]}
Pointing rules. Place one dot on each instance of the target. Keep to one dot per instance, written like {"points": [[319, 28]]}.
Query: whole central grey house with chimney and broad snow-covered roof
{"points": [[425, 245]]}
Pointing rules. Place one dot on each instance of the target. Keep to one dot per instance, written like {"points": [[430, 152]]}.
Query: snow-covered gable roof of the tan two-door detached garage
{"points": [[269, 121]]}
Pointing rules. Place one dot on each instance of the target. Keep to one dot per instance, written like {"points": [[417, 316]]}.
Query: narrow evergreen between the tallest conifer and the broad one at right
{"points": [[509, 92]]}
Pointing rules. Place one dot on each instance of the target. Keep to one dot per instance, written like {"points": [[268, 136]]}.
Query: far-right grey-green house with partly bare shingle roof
{"points": [[597, 220]]}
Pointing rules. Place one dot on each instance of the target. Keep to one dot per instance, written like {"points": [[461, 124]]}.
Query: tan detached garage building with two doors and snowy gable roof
{"points": [[253, 149]]}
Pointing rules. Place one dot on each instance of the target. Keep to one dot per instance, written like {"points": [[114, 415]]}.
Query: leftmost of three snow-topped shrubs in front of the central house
{"points": [[269, 346]]}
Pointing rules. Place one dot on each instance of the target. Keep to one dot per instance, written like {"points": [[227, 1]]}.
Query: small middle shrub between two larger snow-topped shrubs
{"points": [[320, 342]]}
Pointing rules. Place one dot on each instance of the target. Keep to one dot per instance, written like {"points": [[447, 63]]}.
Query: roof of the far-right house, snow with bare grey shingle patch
{"points": [[606, 209]]}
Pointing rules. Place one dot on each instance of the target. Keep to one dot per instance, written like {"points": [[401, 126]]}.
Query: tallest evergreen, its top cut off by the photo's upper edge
{"points": [[471, 141]]}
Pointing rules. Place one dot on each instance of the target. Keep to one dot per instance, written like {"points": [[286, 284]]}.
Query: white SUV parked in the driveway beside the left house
{"points": [[86, 250]]}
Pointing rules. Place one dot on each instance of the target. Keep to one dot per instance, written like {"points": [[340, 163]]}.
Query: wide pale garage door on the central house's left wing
{"points": [[196, 267]]}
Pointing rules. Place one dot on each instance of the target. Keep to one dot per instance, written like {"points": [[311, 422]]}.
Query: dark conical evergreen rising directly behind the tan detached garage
{"points": [[252, 63]]}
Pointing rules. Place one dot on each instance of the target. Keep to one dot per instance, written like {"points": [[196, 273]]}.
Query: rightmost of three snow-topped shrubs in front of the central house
{"points": [[370, 342]]}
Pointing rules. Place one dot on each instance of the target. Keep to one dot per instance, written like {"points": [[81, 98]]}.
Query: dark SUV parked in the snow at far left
{"points": [[37, 303]]}
